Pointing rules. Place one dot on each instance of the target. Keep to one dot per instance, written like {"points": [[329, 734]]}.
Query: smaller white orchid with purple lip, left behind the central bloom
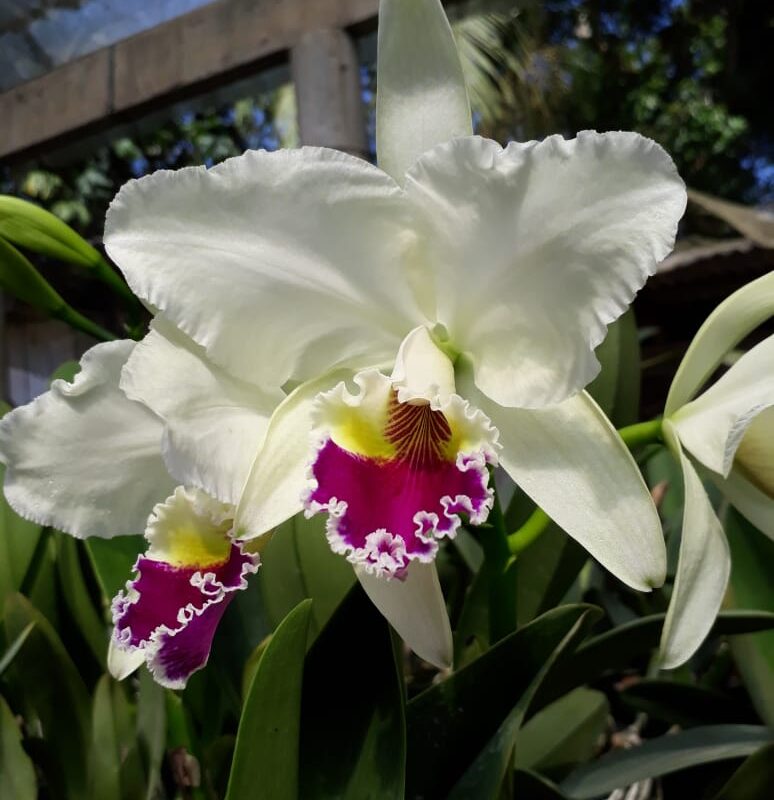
{"points": [[88, 460]]}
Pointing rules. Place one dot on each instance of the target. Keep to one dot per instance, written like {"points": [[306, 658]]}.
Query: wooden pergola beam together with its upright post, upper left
{"points": [[193, 54]]}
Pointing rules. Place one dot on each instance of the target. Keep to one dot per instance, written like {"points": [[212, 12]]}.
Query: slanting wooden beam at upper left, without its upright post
{"points": [[194, 53]]}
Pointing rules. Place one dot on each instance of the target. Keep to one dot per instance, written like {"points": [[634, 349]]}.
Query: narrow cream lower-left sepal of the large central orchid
{"points": [[279, 475]]}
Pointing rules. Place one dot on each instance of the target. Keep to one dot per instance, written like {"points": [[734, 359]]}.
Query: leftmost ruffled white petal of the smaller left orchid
{"points": [[83, 457]]}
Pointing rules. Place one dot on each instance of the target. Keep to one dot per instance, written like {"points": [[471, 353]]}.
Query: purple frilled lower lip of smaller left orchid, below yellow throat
{"points": [[170, 614]]}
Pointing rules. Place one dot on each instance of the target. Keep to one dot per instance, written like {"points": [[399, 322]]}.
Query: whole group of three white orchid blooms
{"points": [[369, 343]]}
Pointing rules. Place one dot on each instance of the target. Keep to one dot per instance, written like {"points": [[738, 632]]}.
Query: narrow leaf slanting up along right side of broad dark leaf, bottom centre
{"points": [[484, 778]]}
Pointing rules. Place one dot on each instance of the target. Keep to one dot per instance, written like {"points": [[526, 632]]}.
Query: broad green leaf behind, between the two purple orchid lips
{"points": [[298, 563]]}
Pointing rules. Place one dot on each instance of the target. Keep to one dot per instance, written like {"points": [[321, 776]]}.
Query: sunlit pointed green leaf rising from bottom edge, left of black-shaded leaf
{"points": [[266, 755]]}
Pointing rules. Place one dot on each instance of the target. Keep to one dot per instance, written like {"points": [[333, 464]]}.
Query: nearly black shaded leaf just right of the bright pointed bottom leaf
{"points": [[353, 744]]}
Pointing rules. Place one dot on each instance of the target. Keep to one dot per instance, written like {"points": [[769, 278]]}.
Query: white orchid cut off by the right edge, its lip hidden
{"points": [[729, 429]]}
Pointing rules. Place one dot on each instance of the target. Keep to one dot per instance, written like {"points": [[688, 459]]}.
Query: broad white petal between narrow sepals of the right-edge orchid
{"points": [[714, 425]]}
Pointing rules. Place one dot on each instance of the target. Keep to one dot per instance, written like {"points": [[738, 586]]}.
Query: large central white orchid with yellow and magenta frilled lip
{"points": [[485, 276]]}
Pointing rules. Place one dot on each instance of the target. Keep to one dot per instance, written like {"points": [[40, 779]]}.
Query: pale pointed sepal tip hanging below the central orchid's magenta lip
{"points": [[416, 609]]}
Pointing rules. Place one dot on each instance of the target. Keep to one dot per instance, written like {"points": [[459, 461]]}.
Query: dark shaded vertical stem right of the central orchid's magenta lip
{"points": [[502, 584]]}
